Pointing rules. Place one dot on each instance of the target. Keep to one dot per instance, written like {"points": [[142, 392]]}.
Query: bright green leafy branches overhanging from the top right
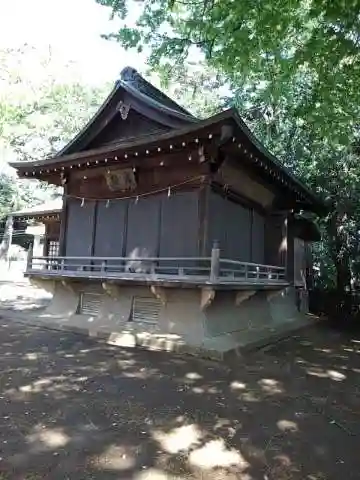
{"points": [[262, 46]]}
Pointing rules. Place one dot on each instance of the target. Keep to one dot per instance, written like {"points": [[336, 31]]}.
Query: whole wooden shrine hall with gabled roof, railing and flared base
{"points": [[175, 232]]}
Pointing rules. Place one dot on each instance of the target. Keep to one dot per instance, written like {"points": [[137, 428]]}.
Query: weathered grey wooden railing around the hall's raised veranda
{"points": [[212, 269]]}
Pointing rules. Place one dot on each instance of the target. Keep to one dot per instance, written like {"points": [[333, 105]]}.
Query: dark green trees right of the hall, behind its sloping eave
{"points": [[331, 169]]}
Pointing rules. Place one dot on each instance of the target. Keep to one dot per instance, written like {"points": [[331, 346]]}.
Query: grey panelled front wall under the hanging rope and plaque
{"points": [[158, 225]]}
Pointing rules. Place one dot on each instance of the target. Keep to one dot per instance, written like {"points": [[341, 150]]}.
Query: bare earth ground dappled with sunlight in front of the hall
{"points": [[71, 408]]}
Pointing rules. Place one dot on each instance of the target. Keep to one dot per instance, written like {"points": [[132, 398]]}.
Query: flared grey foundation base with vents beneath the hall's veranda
{"points": [[202, 321]]}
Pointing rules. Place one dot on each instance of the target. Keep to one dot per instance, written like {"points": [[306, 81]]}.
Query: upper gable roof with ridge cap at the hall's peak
{"points": [[142, 97]]}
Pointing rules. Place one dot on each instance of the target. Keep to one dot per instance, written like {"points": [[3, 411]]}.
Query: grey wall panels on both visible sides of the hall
{"points": [[165, 226]]}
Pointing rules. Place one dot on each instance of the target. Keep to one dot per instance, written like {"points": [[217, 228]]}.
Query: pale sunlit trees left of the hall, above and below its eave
{"points": [[39, 113]]}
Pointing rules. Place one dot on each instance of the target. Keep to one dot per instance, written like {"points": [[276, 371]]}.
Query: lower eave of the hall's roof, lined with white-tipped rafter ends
{"points": [[204, 132]]}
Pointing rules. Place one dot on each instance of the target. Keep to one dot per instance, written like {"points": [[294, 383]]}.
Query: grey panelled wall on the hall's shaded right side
{"points": [[239, 229]]}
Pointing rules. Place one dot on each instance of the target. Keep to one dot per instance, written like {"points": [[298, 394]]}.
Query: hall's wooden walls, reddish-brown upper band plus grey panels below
{"points": [[186, 223]]}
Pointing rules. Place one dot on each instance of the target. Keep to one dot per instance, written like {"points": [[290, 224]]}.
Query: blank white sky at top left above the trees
{"points": [[72, 29]]}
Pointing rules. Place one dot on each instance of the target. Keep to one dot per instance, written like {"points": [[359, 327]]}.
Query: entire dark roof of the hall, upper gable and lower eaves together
{"points": [[179, 129]]}
